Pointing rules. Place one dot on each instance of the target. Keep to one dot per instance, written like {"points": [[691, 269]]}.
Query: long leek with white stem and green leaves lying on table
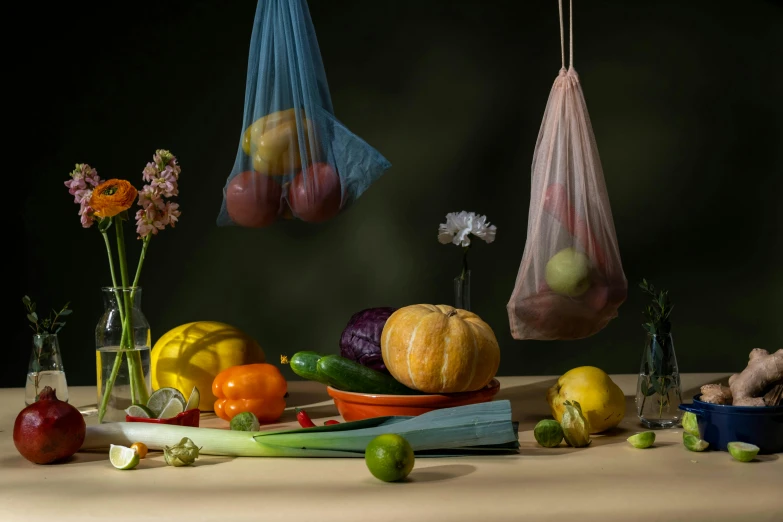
{"points": [[484, 428]]}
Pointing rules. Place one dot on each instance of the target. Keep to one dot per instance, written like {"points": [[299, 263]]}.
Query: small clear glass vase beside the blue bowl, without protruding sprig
{"points": [[658, 389]]}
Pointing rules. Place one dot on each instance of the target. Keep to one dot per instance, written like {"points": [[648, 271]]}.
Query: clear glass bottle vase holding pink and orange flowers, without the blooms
{"points": [[122, 352]]}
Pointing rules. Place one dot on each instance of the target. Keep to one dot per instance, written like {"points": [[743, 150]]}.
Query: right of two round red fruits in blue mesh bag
{"points": [[315, 194]]}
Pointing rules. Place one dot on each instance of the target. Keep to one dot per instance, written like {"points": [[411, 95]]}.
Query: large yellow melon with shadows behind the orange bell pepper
{"points": [[194, 353]]}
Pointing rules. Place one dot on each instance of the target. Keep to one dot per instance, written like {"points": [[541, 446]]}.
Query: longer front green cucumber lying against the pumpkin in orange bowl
{"points": [[347, 375]]}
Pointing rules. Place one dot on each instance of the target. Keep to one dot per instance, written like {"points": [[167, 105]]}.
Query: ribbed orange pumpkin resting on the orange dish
{"points": [[439, 349]]}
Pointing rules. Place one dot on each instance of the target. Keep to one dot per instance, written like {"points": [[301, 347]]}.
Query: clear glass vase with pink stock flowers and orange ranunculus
{"points": [[123, 334]]}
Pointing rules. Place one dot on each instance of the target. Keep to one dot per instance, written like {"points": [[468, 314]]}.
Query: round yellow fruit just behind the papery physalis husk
{"points": [[602, 401]]}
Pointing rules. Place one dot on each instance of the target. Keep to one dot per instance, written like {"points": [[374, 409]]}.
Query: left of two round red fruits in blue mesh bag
{"points": [[253, 199]]}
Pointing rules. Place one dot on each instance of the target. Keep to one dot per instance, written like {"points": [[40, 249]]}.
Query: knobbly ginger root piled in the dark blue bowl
{"points": [[748, 388]]}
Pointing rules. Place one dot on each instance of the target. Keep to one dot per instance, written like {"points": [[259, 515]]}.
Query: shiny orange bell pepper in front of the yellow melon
{"points": [[257, 388]]}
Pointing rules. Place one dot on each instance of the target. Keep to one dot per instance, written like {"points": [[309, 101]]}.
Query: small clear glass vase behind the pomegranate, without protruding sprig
{"points": [[45, 369]]}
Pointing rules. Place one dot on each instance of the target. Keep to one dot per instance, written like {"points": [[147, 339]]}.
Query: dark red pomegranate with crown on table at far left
{"points": [[49, 429]]}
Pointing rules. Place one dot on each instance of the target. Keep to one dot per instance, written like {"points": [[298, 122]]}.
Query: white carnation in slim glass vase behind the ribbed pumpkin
{"points": [[457, 229]]}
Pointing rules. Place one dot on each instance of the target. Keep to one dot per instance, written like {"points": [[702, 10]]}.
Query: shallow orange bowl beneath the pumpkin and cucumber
{"points": [[357, 406]]}
